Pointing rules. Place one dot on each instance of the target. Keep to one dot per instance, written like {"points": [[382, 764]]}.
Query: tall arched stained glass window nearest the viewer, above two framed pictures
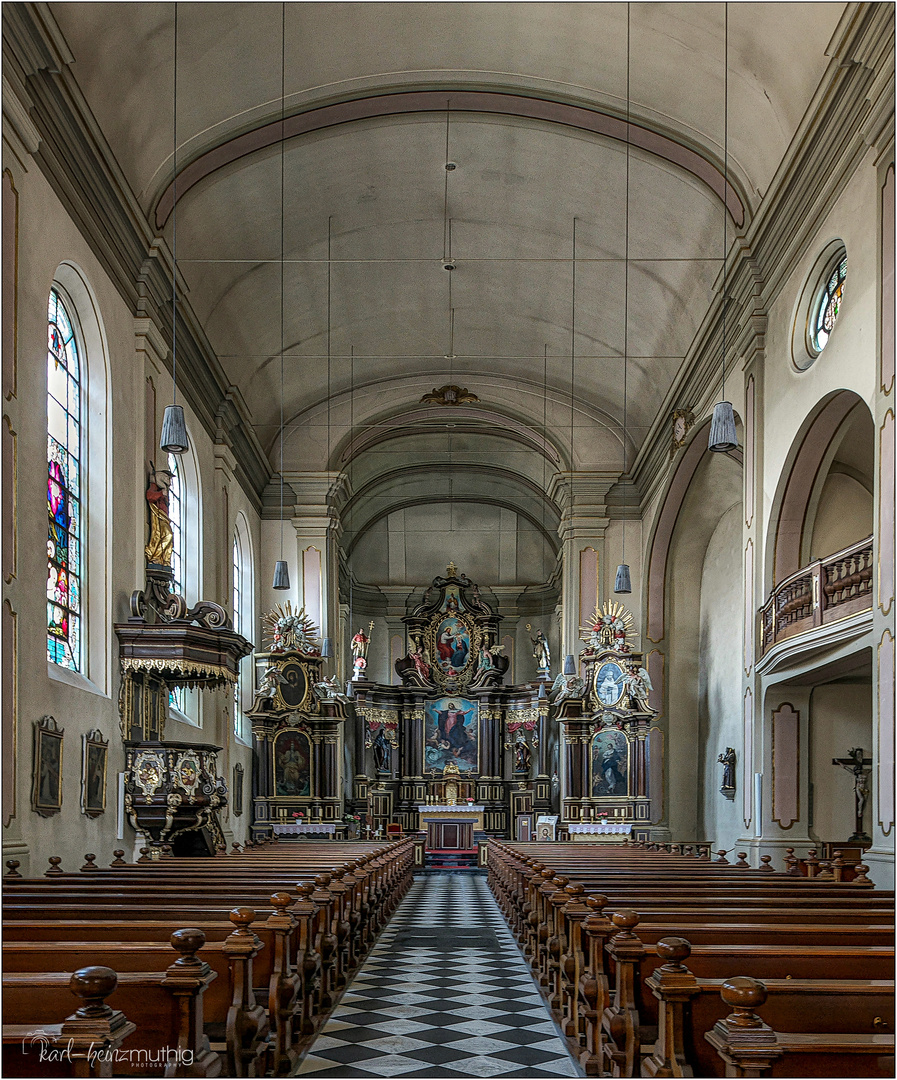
{"points": [[64, 482]]}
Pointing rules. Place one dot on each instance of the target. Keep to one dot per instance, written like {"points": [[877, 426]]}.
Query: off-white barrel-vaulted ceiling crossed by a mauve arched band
{"points": [[526, 169]]}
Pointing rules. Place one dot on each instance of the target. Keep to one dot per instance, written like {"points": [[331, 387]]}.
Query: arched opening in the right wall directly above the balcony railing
{"points": [[835, 423]]}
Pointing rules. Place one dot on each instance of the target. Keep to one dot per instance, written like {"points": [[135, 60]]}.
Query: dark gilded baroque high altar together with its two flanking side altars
{"points": [[454, 751]]}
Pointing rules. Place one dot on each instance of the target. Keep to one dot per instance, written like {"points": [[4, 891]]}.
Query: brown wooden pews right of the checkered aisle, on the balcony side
{"points": [[661, 964]]}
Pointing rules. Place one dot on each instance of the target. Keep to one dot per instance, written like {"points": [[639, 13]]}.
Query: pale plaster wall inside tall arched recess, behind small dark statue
{"points": [[721, 690]]}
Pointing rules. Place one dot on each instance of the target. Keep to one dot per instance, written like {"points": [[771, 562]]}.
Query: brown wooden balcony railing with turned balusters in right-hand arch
{"points": [[827, 590]]}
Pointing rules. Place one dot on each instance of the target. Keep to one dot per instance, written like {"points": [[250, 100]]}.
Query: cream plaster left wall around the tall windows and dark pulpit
{"points": [[47, 239]]}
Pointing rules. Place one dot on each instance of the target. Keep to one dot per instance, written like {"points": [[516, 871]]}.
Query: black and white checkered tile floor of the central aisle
{"points": [[445, 993]]}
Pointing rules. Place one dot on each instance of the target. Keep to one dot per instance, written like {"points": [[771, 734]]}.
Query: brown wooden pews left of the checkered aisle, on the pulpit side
{"points": [[189, 967]]}
